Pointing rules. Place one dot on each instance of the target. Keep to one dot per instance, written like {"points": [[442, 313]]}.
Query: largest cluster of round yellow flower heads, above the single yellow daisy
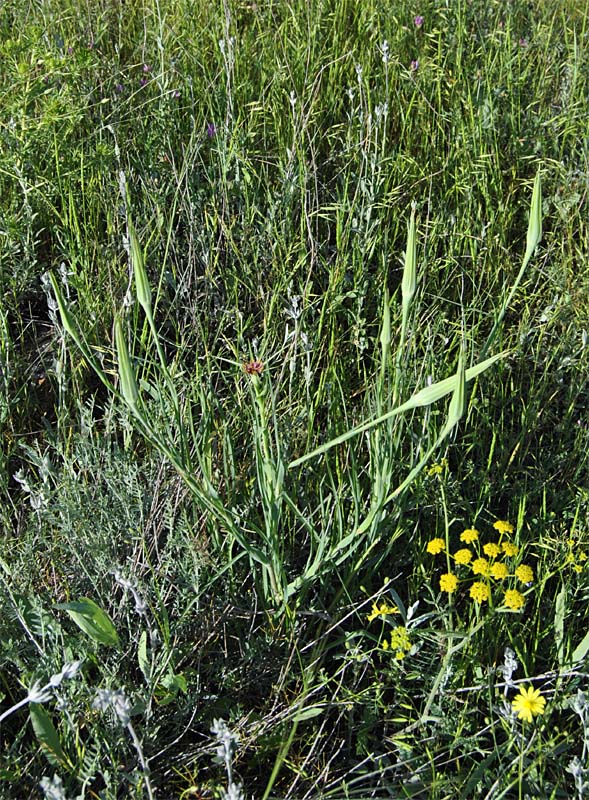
{"points": [[487, 562]]}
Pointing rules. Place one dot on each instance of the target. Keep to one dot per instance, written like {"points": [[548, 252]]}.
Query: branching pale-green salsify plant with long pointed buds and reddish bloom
{"points": [[182, 442]]}
